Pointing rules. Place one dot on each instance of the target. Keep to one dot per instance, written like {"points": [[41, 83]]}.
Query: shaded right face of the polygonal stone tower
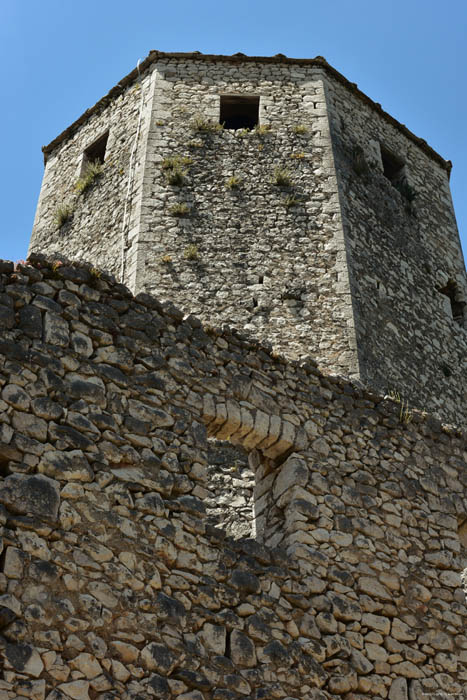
{"points": [[401, 254]]}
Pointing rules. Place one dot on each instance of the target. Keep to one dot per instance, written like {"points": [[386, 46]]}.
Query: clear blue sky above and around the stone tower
{"points": [[58, 57]]}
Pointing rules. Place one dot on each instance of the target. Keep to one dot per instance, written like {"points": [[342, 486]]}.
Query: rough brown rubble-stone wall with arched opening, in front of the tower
{"points": [[114, 584]]}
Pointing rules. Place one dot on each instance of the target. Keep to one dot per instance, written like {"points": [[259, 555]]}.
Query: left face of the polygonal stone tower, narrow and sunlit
{"points": [[102, 217]]}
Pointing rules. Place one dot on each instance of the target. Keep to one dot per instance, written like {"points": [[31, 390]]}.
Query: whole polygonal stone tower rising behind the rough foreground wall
{"points": [[313, 219]]}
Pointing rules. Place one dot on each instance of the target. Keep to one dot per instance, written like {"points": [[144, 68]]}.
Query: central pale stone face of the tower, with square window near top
{"points": [[278, 272]]}
